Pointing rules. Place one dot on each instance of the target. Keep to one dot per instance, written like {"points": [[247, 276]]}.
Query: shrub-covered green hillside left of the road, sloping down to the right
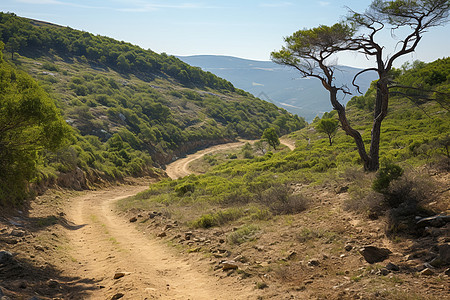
{"points": [[131, 109]]}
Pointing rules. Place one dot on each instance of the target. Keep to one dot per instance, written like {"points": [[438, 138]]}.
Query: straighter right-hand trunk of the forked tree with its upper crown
{"points": [[415, 18]]}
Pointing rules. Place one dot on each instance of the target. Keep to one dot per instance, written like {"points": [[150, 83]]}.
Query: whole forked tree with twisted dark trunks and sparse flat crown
{"points": [[310, 50]]}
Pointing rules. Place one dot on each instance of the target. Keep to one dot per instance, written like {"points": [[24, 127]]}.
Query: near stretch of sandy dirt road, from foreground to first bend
{"points": [[105, 244]]}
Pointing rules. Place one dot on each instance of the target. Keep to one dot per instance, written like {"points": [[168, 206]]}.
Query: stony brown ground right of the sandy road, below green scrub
{"points": [[324, 253]]}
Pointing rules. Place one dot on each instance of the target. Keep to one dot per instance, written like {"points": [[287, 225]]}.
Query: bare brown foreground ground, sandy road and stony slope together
{"points": [[69, 245]]}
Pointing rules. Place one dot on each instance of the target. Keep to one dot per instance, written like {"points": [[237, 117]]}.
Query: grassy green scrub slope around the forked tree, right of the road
{"points": [[415, 134]]}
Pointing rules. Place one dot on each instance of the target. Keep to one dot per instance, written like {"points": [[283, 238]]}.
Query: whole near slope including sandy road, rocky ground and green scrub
{"points": [[259, 223]]}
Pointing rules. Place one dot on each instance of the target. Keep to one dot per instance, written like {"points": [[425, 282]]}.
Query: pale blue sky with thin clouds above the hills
{"points": [[248, 29]]}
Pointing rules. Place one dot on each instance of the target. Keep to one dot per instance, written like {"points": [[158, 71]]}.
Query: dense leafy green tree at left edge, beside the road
{"points": [[29, 123]]}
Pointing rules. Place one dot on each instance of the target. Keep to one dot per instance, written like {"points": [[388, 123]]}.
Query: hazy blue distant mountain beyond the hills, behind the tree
{"points": [[280, 85]]}
